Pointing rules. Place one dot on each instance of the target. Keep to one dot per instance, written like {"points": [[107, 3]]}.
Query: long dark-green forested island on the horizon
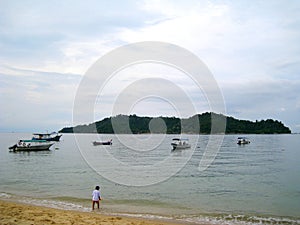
{"points": [[173, 125]]}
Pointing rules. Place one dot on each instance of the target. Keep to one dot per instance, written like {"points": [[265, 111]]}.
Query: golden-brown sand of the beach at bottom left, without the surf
{"points": [[19, 213]]}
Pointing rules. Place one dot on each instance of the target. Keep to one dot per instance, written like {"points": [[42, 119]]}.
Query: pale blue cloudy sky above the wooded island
{"points": [[46, 48]]}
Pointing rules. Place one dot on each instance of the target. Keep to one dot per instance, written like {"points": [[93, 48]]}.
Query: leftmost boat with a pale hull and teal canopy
{"points": [[31, 145]]}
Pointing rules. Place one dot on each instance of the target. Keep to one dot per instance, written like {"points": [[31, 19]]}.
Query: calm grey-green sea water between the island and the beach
{"points": [[257, 183]]}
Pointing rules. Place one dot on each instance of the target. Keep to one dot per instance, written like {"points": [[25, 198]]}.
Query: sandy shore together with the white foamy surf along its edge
{"points": [[16, 212]]}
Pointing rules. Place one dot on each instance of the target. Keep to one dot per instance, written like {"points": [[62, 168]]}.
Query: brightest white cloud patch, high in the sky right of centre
{"points": [[188, 28]]}
